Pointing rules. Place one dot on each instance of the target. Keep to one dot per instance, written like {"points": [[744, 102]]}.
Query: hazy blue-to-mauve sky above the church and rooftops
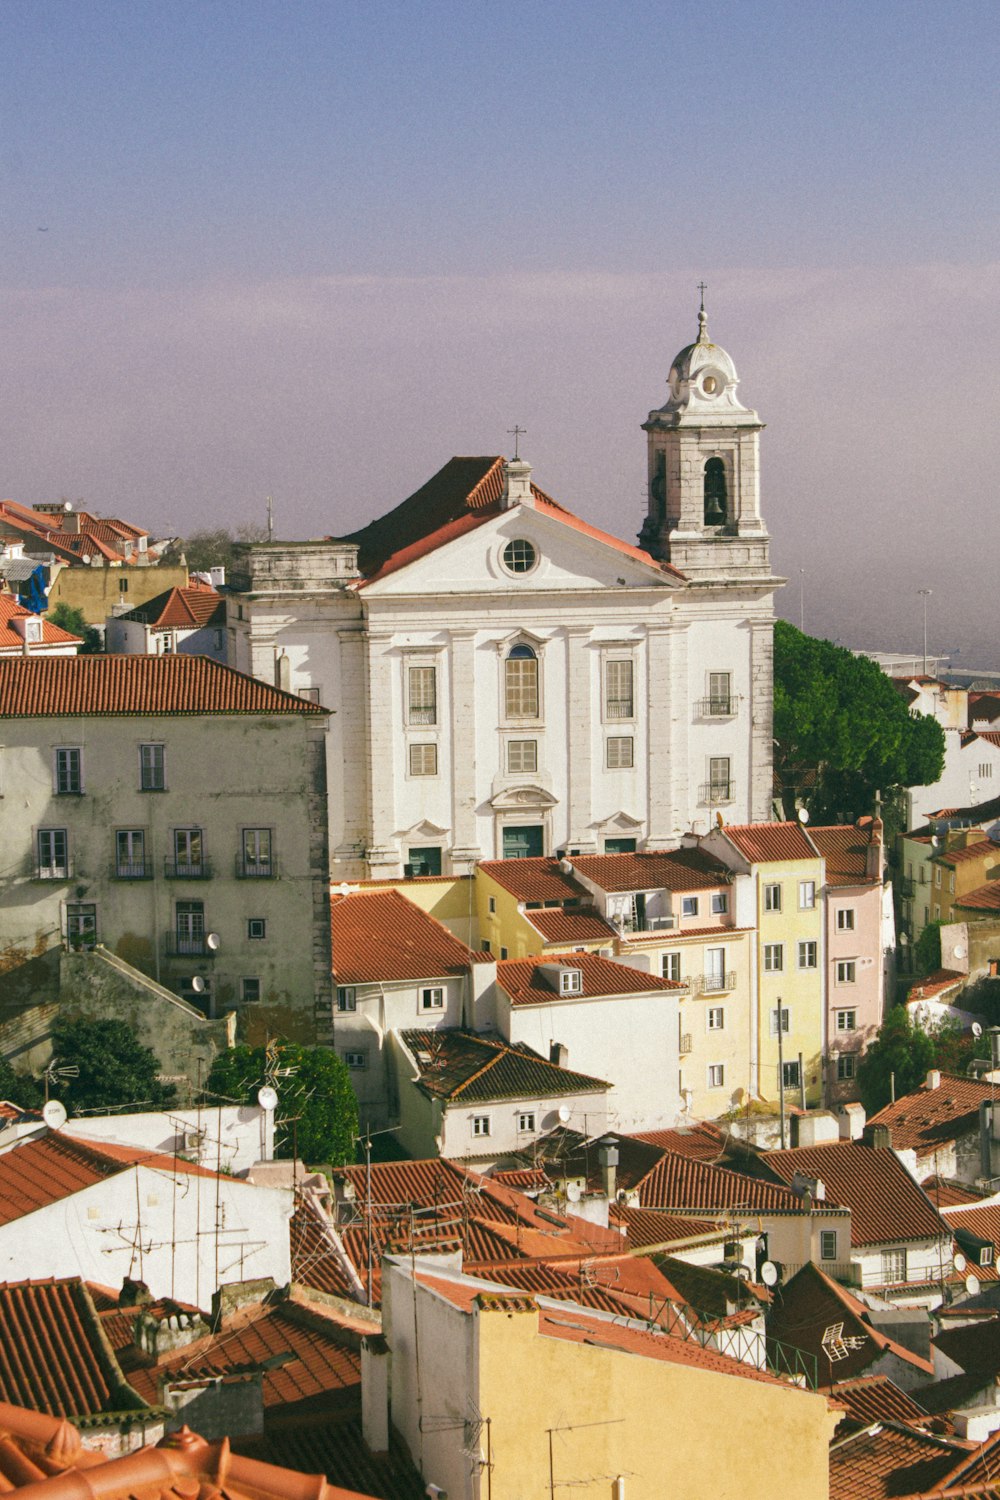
{"points": [[314, 250]]}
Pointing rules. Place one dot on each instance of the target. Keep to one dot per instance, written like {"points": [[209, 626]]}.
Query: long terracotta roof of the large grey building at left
{"points": [[136, 686]]}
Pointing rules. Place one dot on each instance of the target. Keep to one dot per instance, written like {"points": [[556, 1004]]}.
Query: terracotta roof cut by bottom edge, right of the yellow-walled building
{"points": [[888, 1460]]}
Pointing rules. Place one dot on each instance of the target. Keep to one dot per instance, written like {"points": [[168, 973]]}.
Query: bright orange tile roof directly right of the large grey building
{"points": [[380, 937]]}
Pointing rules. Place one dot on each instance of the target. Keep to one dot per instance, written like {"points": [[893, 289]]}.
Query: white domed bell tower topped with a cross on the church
{"points": [[704, 472]]}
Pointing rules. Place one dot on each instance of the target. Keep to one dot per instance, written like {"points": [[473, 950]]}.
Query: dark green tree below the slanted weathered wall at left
{"points": [[115, 1067]]}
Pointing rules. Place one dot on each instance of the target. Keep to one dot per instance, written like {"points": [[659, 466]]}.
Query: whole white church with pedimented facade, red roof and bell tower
{"points": [[509, 680]]}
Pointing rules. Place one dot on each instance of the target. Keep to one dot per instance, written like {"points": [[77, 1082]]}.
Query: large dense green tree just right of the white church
{"points": [[843, 733]]}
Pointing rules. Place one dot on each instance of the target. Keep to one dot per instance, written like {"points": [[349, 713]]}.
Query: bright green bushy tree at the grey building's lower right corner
{"points": [[317, 1112]]}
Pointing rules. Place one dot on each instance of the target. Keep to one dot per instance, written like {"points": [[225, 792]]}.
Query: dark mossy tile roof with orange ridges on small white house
{"points": [[463, 1066]]}
